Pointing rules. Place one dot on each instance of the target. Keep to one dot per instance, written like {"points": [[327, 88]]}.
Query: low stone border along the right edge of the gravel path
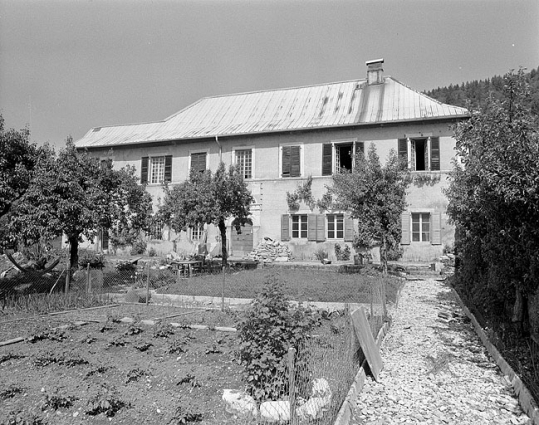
{"points": [[527, 403]]}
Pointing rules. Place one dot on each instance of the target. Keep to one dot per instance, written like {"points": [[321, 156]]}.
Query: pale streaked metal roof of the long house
{"points": [[339, 104]]}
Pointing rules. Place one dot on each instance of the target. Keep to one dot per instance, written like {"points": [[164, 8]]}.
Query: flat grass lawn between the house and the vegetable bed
{"points": [[299, 285]]}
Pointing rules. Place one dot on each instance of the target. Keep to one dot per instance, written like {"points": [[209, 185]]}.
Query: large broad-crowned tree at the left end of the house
{"points": [[76, 195]]}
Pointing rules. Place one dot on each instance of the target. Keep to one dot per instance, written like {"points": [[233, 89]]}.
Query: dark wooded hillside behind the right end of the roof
{"points": [[473, 94]]}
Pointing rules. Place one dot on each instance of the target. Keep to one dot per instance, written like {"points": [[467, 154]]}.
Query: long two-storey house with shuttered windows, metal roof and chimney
{"points": [[283, 138]]}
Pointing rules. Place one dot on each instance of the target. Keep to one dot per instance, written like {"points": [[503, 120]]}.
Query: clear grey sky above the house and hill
{"points": [[69, 65]]}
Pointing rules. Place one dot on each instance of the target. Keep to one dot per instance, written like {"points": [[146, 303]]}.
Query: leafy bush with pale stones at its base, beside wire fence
{"points": [[267, 330]]}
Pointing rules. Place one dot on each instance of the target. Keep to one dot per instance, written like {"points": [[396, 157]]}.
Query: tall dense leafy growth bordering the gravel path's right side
{"points": [[494, 201]]}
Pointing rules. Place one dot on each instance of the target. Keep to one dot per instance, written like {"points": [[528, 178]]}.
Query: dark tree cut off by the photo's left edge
{"points": [[18, 158]]}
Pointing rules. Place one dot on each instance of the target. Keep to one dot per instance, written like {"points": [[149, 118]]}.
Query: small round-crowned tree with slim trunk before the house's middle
{"points": [[208, 198]]}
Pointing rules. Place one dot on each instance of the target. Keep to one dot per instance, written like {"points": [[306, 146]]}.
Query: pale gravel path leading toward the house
{"points": [[436, 371]]}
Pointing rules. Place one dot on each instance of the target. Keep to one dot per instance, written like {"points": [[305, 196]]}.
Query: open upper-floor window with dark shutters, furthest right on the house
{"points": [[421, 153]]}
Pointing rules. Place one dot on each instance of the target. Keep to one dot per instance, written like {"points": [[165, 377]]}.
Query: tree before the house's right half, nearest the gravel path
{"points": [[375, 195]]}
